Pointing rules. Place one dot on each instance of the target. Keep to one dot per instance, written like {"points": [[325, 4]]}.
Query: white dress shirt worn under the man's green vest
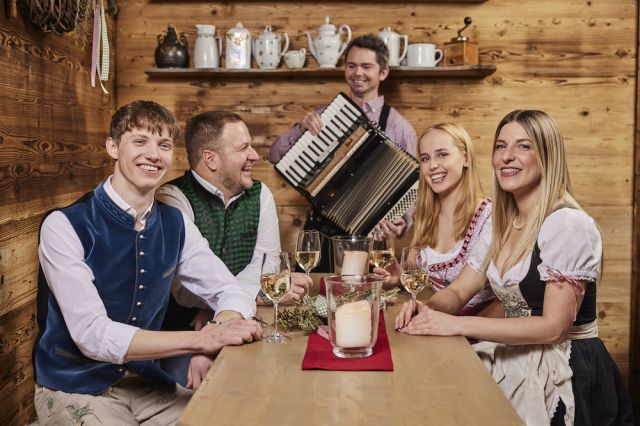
{"points": [[268, 239]]}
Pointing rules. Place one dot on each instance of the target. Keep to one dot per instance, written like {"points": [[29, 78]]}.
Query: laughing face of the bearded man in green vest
{"points": [[234, 160]]}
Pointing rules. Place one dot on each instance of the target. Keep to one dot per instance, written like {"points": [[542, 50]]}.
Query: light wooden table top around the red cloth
{"points": [[436, 381]]}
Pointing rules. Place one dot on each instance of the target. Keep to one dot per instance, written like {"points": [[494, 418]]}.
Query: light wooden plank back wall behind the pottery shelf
{"points": [[572, 58]]}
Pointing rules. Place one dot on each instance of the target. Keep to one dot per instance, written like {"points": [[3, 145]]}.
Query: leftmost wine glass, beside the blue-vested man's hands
{"points": [[275, 282]]}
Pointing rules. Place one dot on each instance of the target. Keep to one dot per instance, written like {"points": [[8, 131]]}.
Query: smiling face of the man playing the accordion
{"points": [[363, 74]]}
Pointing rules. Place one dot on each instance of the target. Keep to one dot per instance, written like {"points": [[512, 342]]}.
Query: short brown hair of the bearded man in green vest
{"points": [[203, 131]]}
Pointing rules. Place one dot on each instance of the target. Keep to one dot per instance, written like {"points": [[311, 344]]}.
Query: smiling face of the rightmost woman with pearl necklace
{"points": [[515, 162]]}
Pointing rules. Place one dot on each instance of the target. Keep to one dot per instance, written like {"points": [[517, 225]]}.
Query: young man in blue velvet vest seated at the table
{"points": [[107, 263]]}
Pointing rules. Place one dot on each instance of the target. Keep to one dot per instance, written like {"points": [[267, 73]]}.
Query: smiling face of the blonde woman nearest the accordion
{"points": [[441, 162]]}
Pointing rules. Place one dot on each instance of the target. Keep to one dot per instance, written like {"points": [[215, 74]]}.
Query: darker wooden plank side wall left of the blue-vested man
{"points": [[52, 131]]}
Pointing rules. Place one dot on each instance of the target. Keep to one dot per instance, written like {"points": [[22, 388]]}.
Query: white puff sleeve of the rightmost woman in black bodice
{"points": [[570, 247]]}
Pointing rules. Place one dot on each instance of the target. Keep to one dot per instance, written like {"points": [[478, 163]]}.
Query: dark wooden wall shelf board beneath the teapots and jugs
{"points": [[474, 71]]}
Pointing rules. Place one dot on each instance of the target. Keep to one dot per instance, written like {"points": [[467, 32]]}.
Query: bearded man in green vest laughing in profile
{"points": [[235, 213]]}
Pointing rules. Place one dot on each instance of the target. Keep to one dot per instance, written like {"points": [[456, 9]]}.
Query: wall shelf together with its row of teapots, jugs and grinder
{"points": [[458, 60]]}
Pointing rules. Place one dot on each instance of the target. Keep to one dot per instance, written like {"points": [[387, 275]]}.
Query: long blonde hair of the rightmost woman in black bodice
{"points": [[554, 187]]}
